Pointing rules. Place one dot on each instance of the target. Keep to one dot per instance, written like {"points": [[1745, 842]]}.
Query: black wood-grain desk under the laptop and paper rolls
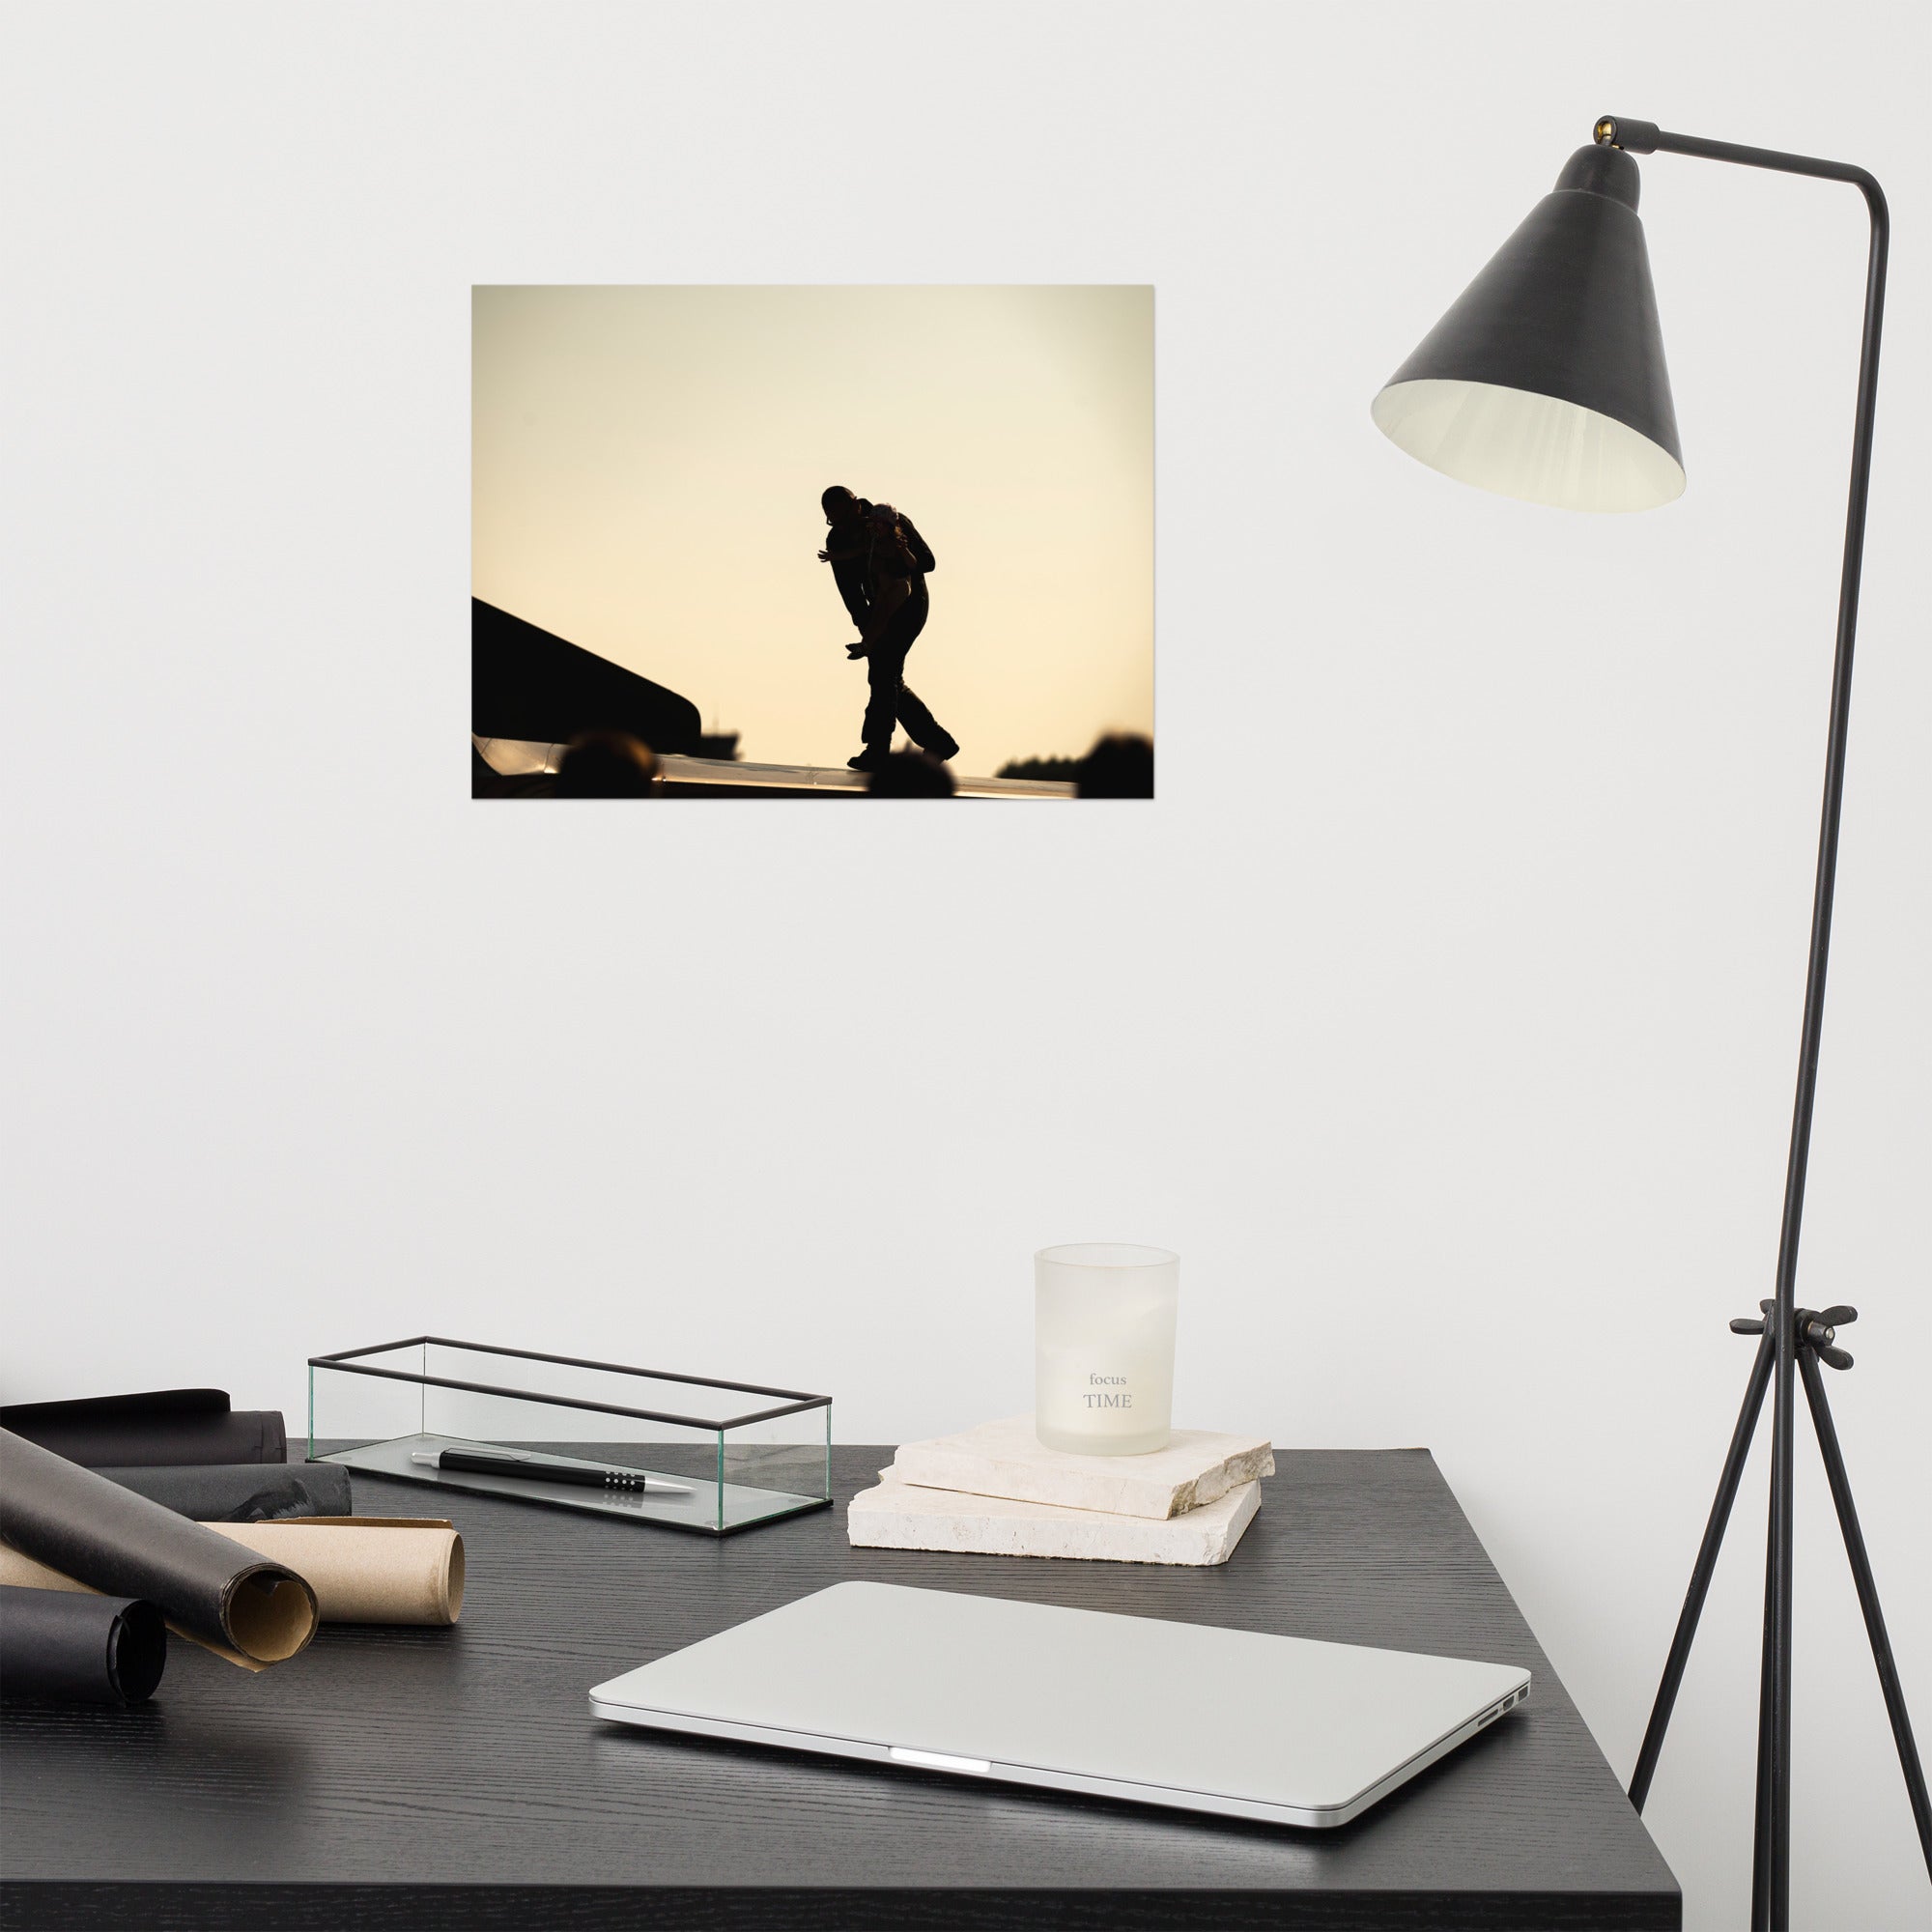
{"points": [[453, 1778]]}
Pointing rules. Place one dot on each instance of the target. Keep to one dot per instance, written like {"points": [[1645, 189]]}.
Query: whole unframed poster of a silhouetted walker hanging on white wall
{"points": [[812, 542]]}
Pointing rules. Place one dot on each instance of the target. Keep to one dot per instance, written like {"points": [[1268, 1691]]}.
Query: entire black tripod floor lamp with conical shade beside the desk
{"points": [[1547, 382]]}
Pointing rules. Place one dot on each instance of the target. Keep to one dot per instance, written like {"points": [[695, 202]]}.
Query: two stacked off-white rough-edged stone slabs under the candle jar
{"points": [[996, 1491]]}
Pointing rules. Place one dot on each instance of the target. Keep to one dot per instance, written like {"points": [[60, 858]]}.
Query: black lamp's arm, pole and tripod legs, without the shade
{"points": [[1796, 1344]]}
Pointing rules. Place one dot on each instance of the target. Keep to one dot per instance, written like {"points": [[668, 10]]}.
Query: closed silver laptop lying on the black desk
{"points": [[1181, 1715]]}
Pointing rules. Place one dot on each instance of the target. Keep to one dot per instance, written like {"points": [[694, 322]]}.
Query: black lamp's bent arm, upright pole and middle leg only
{"points": [[1773, 1889]]}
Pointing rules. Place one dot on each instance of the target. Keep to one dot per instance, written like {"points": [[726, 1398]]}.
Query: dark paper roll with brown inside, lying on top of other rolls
{"points": [[107, 1539]]}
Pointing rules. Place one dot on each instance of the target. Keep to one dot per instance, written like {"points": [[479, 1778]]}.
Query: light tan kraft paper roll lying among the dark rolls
{"points": [[368, 1570]]}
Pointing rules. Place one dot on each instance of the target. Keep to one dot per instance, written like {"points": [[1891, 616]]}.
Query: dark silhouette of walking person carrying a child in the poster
{"points": [[880, 565]]}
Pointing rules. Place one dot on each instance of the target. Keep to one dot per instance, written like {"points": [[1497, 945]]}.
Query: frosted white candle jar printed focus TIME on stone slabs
{"points": [[1104, 1348]]}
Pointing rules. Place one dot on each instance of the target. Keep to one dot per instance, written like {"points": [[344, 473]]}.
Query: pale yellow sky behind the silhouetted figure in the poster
{"points": [[648, 469]]}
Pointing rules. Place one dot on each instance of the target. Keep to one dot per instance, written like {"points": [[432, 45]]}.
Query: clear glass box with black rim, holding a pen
{"points": [[637, 1444]]}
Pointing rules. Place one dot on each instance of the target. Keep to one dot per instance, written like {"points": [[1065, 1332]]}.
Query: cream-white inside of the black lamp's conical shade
{"points": [[1520, 443]]}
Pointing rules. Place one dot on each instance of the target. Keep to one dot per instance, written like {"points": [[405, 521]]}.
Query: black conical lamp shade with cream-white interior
{"points": [[1547, 380]]}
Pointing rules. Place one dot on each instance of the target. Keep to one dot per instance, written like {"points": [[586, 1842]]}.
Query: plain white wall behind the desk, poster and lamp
{"points": [[1442, 1011]]}
